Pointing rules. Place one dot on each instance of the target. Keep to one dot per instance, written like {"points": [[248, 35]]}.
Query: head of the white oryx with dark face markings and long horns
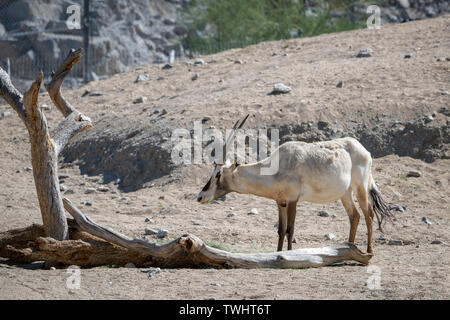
{"points": [[217, 185]]}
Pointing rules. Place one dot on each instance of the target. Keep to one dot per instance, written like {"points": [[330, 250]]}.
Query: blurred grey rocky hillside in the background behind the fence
{"points": [[125, 33]]}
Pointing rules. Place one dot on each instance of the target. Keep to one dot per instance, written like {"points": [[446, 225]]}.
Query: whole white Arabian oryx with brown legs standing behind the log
{"points": [[318, 172]]}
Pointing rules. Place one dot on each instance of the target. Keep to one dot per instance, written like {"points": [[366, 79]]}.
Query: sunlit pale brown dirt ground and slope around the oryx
{"points": [[376, 91]]}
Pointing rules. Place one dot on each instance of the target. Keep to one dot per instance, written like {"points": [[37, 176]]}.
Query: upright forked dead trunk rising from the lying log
{"points": [[45, 147]]}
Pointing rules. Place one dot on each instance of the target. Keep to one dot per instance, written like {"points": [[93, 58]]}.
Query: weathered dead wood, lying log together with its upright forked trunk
{"points": [[81, 241]]}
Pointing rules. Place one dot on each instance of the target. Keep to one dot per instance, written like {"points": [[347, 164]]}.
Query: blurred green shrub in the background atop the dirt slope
{"points": [[217, 25]]}
